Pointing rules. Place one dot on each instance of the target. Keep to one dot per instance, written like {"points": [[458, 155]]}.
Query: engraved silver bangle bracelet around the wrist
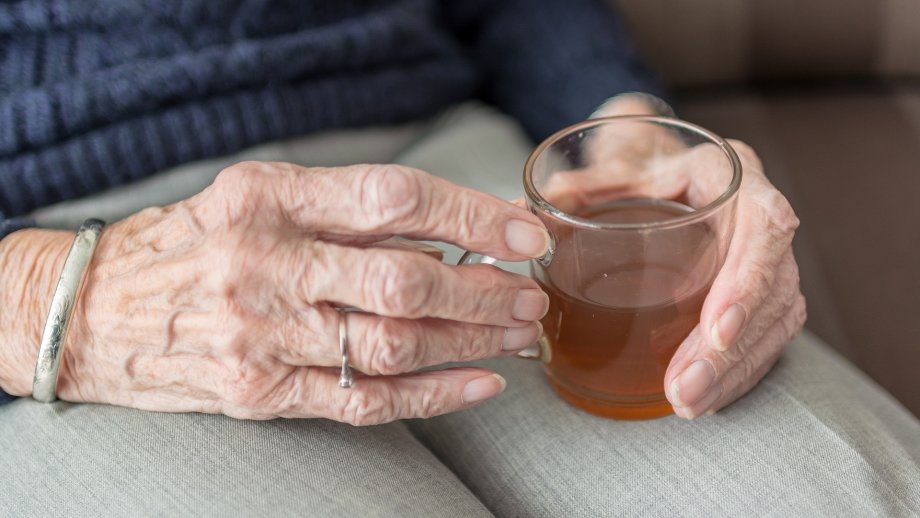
{"points": [[44, 384]]}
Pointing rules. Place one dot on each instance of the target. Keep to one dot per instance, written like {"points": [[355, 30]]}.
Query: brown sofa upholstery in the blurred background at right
{"points": [[779, 75]]}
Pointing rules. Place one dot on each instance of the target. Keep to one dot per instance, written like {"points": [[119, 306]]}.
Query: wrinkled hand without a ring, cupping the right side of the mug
{"points": [[755, 305]]}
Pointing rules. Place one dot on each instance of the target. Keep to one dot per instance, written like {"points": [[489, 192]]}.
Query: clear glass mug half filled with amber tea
{"points": [[640, 211]]}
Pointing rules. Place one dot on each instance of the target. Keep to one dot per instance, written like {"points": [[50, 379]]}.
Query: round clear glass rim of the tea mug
{"points": [[534, 195]]}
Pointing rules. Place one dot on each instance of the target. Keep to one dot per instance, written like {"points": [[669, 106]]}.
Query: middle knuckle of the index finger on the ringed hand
{"points": [[390, 194]]}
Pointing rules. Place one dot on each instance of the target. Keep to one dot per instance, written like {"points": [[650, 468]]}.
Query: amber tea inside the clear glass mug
{"points": [[620, 306]]}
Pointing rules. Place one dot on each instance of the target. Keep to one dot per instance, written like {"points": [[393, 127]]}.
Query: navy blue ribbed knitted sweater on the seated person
{"points": [[97, 93]]}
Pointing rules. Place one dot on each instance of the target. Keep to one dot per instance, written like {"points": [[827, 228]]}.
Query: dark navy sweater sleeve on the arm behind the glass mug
{"points": [[549, 63]]}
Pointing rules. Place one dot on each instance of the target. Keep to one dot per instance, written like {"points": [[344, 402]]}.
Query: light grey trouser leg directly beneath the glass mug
{"points": [[815, 438]]}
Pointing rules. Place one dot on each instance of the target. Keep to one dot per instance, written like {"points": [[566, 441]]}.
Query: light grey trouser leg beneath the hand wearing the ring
{"points": [[82, 460]]}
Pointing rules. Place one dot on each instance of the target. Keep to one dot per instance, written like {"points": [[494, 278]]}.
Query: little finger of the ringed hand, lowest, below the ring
{"points": [[382, 399]]}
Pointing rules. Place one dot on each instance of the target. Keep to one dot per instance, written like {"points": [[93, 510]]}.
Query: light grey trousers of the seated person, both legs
{"points": [[815, 437]]}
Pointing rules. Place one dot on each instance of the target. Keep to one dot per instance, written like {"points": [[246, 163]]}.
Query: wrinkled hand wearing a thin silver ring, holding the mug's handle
{"points": [[226, 302]]}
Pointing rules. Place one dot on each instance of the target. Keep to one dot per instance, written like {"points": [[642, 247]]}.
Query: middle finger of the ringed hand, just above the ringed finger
{"points": [[397, 283]]}
